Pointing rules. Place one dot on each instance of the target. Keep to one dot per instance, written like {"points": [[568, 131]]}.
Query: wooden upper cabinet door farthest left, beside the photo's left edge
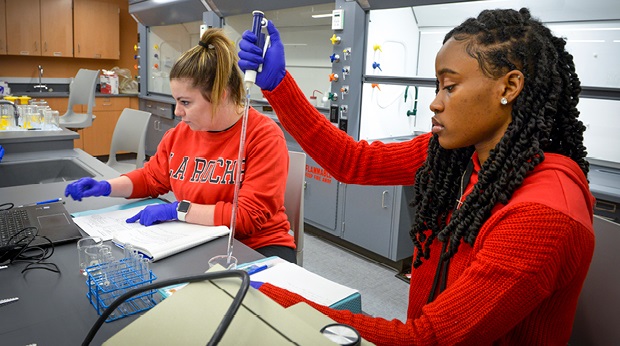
{"points": [[23, 27]]}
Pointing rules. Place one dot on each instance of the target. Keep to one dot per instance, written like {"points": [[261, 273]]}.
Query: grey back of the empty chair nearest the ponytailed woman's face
{"points": [[129, 136]]}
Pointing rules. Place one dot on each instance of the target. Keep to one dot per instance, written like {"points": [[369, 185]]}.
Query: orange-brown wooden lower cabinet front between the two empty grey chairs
{"points": [[98, 137]]}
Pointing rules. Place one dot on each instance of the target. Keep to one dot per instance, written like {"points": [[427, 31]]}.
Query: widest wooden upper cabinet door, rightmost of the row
{"points": [[96, 31]]}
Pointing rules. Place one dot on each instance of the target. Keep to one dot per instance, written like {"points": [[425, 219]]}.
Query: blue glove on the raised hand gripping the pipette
{"points": [[274, 65]]}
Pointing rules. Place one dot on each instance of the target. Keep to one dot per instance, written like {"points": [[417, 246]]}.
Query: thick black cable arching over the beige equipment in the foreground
{"points": [[221, 328]]}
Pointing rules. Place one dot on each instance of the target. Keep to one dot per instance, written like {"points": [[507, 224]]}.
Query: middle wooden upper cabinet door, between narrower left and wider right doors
{"points": [[56, 28]]}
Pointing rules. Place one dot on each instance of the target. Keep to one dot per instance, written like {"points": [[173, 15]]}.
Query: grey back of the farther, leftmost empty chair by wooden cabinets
{"points": [[81, 92]]}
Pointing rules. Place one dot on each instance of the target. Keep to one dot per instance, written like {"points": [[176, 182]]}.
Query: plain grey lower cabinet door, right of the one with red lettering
{"points": [[368, 215]]}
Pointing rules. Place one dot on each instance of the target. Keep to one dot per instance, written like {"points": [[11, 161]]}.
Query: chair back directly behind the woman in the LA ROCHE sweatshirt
{"points": [[294, 199]]}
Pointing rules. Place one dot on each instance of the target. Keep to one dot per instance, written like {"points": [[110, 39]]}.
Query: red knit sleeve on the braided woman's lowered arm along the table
{"points": [[523, 278]]}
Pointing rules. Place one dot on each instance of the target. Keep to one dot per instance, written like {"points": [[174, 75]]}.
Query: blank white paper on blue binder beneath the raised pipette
{"points": [[305, 283]]}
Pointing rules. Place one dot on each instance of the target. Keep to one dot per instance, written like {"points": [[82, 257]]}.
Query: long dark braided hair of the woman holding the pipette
{"points": [[544, 119]]}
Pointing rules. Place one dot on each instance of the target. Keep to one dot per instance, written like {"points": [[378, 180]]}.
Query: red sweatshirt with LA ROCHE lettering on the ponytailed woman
{"points": [[198, 166]]}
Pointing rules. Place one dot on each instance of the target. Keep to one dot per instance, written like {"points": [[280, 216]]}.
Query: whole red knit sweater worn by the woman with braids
{"points": [[518, 284]]}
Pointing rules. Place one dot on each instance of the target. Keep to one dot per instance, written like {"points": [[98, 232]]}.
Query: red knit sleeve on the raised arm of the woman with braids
{"points": [[347, 160]]}
